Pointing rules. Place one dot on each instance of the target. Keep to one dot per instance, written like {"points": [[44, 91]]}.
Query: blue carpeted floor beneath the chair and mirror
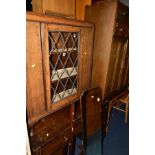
{"points": [[116, 141]]}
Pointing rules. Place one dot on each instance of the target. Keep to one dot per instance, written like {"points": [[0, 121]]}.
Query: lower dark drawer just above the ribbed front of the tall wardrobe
{"points": [[121, 29]]}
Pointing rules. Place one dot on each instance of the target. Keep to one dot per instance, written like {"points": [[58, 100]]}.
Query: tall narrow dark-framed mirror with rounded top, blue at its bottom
{"points": [[93, 120]]}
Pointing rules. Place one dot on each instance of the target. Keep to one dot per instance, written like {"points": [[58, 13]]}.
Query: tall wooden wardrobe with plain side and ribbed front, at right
{"points": [[111, 45]]}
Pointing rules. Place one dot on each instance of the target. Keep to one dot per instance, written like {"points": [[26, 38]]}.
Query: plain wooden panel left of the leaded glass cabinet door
{"points": [[34, 72]]}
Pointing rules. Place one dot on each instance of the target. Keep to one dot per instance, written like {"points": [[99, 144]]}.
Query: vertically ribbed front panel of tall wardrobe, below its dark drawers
{"points": [[116, 66]]}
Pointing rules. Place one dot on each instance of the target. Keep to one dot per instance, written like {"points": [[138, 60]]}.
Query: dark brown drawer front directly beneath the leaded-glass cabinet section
{"points": [[49, 127]]}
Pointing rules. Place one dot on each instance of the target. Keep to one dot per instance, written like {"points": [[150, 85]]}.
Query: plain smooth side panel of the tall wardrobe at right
{"points": [[103, 15]]}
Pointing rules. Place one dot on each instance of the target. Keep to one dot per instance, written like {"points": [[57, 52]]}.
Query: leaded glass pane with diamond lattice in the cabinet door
{"points": [[63, 56]]}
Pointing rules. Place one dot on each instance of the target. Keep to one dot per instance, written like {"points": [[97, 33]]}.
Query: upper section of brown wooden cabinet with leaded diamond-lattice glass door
{"points": [[58, 63]]}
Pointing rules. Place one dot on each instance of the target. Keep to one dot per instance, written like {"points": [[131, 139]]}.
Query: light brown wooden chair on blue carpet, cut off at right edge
{"points": [[117, 103]]}
